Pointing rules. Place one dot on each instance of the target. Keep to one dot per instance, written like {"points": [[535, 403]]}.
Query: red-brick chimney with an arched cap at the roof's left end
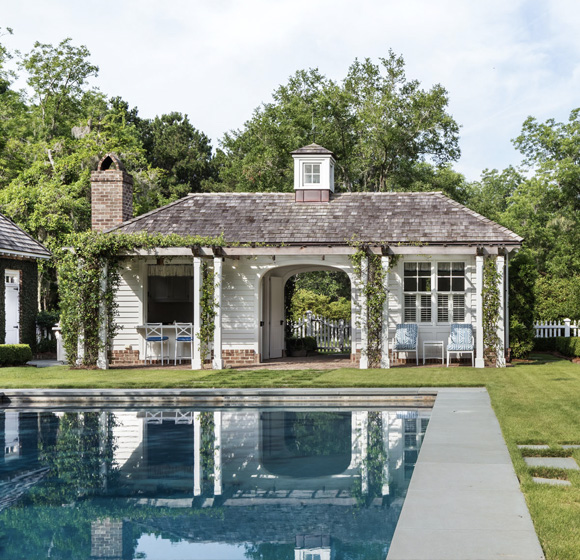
{"points": [[111, 194]]}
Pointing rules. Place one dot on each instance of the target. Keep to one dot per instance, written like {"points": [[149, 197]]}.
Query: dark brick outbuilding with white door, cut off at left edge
{"points": [[19, 255]]}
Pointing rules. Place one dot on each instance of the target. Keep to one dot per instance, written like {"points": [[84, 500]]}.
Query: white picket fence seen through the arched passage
{"points": [[331, 336]]}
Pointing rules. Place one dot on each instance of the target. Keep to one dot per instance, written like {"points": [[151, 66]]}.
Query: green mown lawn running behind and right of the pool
{"points": [[536, 402]]}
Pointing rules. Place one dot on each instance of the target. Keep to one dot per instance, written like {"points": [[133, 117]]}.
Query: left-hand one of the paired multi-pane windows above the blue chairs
{"points": [[417, 292]]}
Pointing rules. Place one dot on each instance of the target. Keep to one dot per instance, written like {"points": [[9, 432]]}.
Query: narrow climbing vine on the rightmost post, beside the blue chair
{"points": [[491, 311]]}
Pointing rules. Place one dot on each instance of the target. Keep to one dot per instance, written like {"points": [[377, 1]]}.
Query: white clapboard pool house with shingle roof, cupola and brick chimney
{"points": [[432, 250]]}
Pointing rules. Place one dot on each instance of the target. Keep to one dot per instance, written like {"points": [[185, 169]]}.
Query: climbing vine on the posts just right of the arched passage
{"points": [[375, 292]]}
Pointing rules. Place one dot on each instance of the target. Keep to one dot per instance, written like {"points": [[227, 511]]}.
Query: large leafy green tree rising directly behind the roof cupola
{"points": [[385, 131]]}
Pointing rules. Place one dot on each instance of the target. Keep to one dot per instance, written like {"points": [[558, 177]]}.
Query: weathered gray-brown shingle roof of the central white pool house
{"points": [[275, 218]]}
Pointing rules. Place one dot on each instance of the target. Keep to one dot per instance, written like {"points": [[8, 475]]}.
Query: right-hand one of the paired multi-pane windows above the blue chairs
{"points": [[450, 292]]}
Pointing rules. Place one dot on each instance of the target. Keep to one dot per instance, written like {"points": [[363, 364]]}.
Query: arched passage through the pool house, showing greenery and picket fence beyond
{"points": [[286, 293]]}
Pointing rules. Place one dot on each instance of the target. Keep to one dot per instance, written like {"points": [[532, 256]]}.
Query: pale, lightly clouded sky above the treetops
{"points": [[217, 60]]}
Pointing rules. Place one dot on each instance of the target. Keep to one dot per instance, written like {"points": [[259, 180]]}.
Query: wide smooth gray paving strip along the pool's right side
{"points": [[464, 501]]}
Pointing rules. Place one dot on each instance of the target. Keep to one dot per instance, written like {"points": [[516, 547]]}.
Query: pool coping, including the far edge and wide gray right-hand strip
{"points": [[464, 465]]}
